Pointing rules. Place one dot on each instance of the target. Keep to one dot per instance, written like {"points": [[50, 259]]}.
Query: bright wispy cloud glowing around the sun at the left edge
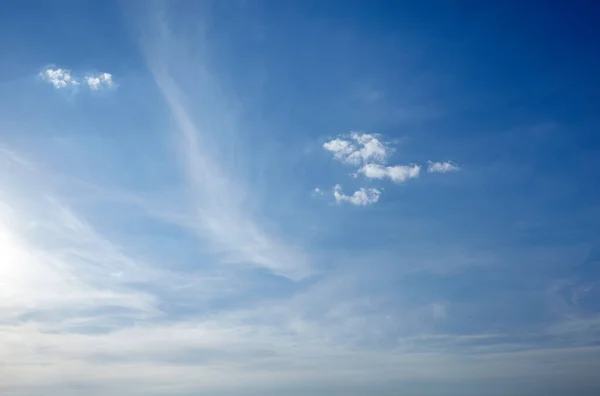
{"points": [[57, 271]]}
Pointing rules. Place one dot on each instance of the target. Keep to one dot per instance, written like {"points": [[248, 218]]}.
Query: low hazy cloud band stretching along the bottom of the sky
{"points": [[184, 359]]}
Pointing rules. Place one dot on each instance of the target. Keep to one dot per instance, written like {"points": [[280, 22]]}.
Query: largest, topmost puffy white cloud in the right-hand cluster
{"points": [[359, 148]]}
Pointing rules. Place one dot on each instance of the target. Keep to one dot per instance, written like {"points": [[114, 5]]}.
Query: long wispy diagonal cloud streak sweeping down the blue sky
{"points": [[219, 213]]}
